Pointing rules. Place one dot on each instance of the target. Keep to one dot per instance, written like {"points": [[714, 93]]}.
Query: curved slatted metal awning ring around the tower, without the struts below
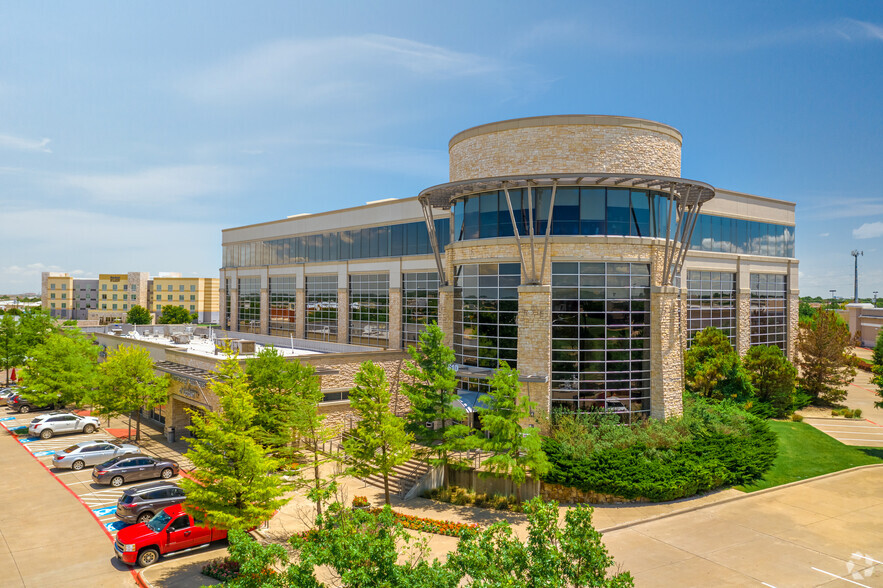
{"points": [[682, 190]]}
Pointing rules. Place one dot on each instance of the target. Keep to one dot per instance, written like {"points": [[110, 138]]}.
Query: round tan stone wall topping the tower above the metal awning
{"points": [[615, 147]]}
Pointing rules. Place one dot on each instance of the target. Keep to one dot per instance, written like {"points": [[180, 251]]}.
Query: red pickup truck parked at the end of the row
{"points": [[170, 530]]}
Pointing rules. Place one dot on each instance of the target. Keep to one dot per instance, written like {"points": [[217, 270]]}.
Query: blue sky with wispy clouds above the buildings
{"points": [[132, 133]]}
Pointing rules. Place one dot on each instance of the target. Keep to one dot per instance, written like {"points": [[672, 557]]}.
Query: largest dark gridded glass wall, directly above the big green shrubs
{"points": [[601, 337]]}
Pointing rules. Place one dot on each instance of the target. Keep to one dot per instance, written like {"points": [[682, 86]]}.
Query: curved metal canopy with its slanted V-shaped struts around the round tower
{"points": [[685, 199]]}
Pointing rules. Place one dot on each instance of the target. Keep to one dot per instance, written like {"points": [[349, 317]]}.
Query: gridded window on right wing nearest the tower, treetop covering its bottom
{"points": [[711, 302]]}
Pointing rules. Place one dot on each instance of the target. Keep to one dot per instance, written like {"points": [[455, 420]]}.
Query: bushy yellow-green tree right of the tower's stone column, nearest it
{"points": [[712, 367]]}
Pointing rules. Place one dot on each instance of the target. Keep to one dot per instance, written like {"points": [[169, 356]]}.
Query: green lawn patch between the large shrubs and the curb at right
{"points": [[806, 452]]}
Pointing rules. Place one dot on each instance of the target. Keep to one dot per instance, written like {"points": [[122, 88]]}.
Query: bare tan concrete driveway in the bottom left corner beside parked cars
{"points": [[47, 537]]}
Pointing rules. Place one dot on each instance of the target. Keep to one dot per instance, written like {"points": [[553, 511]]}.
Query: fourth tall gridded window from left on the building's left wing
{"points": [[369, 309]]}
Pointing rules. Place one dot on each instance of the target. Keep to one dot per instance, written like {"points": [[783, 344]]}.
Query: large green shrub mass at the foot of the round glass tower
{"points": [[711, 445]]}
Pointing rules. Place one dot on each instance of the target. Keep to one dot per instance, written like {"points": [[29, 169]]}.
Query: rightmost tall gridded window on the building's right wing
{"points": [[769, 310]]}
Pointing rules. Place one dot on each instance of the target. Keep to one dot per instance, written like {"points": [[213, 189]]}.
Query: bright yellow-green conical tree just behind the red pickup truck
{"points": [[235, 485]]}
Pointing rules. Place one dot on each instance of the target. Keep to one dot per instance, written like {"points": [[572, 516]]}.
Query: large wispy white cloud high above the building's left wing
{"points": [[332, 69]]}
